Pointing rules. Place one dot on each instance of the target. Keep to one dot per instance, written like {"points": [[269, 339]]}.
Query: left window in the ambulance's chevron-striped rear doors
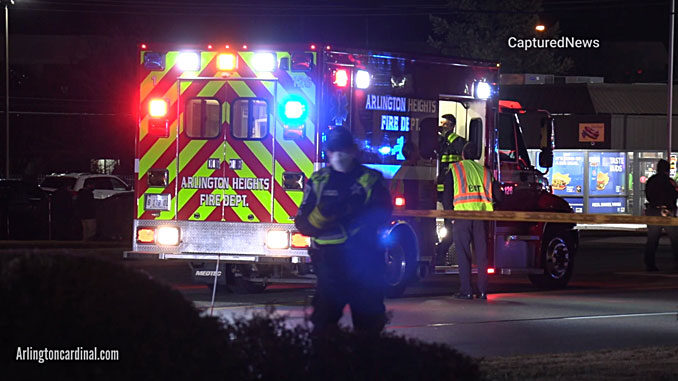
{"points": [[202, 119]]}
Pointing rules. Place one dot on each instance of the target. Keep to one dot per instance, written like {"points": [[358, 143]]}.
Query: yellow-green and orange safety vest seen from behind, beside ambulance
{"points": [[472, 186]]}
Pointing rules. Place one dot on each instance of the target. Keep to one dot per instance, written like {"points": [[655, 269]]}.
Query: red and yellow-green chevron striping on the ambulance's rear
{"points": [[186, 158]]}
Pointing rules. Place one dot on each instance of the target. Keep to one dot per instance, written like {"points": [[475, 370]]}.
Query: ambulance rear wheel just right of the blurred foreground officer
{"points": [[401, 266]]}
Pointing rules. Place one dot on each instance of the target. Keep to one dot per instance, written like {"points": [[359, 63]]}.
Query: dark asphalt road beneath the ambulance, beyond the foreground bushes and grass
{"points": [[611, 303]]}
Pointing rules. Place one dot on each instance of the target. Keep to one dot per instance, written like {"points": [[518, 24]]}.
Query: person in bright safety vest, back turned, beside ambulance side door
{"points": [[470, 186]]}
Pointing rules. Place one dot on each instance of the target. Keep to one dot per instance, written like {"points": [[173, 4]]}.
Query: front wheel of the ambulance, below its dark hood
{"points": [[557, 260]]}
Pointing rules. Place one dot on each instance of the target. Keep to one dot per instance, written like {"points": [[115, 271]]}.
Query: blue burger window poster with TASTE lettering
{"points": [[607, 173]]}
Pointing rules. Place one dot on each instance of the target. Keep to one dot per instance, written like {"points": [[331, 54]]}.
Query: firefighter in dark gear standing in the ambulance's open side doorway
{"points": [[450, 146]]}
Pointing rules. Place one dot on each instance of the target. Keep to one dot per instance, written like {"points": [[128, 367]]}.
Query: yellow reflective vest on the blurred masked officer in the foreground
{"points": [[338, 234]]}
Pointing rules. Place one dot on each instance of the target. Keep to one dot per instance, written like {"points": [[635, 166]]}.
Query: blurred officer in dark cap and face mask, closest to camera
{"points": [[343, 206]]}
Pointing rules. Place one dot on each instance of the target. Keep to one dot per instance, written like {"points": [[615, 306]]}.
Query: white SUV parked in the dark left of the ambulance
{"points": [[105, 186]]}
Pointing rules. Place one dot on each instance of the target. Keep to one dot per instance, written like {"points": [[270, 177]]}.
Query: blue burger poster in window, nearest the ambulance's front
{"points": [[567, 174]]}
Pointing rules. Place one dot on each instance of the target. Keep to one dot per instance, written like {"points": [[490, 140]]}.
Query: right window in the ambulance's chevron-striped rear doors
{"points": [[249, 119]]}
